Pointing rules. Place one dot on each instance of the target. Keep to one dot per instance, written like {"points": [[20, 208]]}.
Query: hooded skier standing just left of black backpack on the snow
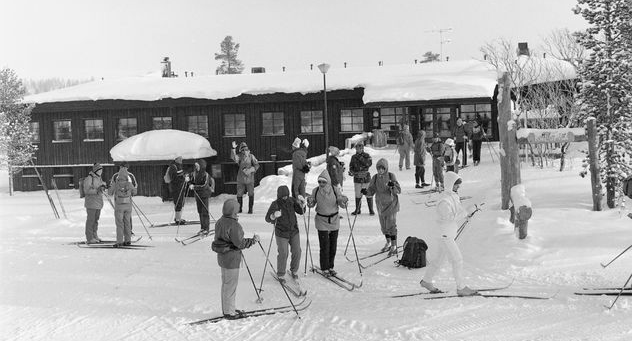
{"points": [[386, 189]]}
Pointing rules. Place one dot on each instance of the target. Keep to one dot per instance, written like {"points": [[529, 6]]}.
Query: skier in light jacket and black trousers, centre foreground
{"points": [[327, 199]]}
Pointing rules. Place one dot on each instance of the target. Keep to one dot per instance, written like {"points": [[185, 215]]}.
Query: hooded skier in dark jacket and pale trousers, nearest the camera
{"points": [[228, 243]]}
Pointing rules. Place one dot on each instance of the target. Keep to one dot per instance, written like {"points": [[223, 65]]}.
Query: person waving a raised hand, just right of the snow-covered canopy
{"points": [[248, 165]]}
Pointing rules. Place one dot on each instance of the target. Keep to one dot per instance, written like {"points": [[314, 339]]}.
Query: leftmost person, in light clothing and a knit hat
{"points": [[93, 187]]}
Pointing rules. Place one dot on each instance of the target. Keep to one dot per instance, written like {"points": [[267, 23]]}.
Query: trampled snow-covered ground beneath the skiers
{"points": [[50, 290]]}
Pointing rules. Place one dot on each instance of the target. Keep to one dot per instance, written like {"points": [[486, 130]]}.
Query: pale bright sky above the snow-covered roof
{"points": [[113, 38]]}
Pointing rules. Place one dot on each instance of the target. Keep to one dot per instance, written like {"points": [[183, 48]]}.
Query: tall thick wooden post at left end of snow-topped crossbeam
{"points": [[509, 162]]}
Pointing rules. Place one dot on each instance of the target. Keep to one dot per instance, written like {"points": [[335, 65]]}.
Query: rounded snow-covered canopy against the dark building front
{"points": [[159, 145]]}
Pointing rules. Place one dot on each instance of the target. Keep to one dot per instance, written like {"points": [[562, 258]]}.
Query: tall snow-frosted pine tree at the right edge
{"points": [[606, 85]]}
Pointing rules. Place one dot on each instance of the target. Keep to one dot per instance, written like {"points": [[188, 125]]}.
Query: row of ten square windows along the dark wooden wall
{"points": [[234, 125]]}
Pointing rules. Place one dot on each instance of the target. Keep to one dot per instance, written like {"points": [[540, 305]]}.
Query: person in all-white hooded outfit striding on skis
{"points": [[449, 211]]}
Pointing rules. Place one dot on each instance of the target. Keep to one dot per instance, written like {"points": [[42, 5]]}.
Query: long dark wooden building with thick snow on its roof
{"points": [[79, 125]]}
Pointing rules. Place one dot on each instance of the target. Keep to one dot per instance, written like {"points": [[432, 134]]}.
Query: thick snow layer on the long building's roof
{"points": [[417, 82]]}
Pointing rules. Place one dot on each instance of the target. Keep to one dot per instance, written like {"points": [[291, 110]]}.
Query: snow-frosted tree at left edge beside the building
{"points": [[16, 147]]}
